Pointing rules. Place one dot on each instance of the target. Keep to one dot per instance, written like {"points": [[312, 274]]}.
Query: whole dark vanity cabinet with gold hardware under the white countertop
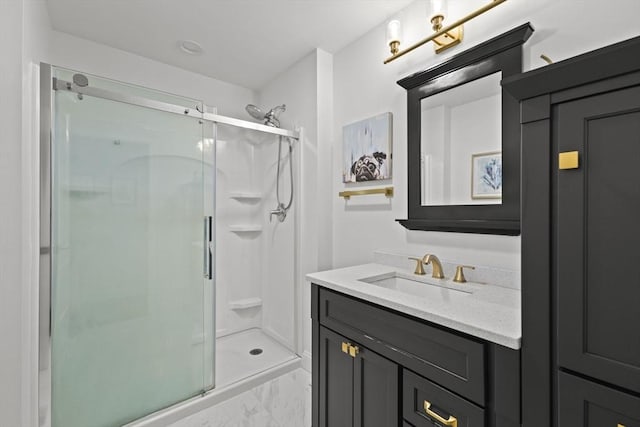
{"points": [[373, 366]]}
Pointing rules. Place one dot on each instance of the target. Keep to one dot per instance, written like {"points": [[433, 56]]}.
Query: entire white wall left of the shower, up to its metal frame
{"points": [[23, 26]]}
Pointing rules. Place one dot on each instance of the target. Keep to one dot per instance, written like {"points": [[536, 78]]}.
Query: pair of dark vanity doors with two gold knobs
{"points": [[358, 387]]}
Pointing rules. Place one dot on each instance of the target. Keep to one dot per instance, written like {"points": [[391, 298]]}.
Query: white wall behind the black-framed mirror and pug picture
{"points": [[364, 87]]}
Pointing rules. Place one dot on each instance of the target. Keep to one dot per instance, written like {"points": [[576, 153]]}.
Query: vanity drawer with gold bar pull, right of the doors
{"points": [[427, 404]]}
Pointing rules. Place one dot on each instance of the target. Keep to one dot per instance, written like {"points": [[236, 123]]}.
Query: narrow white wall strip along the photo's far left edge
{"points": [[11, 45]]}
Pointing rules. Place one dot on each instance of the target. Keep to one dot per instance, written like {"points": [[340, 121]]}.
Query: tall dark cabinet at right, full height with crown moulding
{"points": [[580, 123]]}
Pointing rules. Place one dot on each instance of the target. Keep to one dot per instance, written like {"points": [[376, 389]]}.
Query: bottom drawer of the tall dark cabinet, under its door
{"points": [[583, 403]]}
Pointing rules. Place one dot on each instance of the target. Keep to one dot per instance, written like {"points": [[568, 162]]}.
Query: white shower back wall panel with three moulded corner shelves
{"points": [[240, 214]]}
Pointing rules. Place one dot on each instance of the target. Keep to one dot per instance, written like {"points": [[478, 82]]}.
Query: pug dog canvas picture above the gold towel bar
{"points": [[367, 149]]}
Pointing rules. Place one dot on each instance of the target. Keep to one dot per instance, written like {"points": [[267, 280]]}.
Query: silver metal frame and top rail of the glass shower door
{"points": [[49, 84]]}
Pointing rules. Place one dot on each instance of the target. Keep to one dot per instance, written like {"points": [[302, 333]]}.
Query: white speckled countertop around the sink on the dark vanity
{"points": [[488, 312]]}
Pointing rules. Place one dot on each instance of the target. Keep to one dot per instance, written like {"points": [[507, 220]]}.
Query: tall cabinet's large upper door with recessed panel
{"points": [[598, 235]]}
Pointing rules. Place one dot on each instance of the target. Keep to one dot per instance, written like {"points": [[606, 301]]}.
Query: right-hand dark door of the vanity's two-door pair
{"points": [[376, 383]]}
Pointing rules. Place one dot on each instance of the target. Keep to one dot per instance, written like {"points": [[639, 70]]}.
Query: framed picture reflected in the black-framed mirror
{"points": [[486, 175]]}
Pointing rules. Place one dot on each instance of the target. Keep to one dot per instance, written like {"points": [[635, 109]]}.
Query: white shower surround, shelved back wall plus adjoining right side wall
{"points": [[255, 251]]}
